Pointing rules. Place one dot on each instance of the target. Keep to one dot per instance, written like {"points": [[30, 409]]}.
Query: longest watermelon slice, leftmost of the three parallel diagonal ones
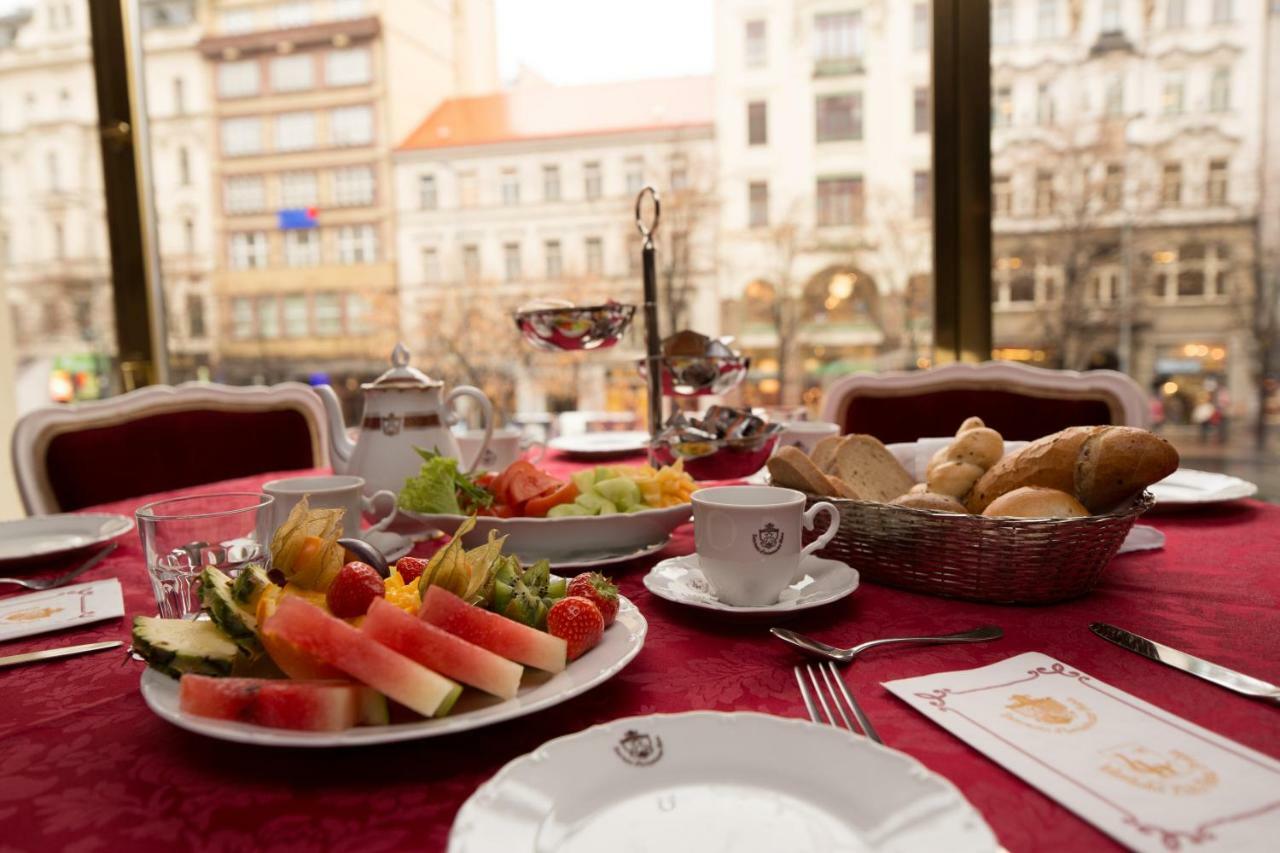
{"points": [[337, 644]]}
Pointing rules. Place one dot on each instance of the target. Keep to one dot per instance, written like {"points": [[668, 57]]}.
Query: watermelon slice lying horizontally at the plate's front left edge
{"points": [[307, 706]]}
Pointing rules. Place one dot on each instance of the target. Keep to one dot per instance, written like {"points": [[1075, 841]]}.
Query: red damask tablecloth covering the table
{"points": [[86, 767]]}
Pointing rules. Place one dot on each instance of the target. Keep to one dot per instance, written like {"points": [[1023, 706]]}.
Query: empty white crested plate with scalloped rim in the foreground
{"points": [[717, 782]]}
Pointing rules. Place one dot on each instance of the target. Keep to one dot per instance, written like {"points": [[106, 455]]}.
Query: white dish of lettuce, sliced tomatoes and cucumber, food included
{"points": [[600, 516]]}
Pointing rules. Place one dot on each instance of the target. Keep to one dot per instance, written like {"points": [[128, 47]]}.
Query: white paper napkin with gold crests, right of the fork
{"points": [[1151, 781]]}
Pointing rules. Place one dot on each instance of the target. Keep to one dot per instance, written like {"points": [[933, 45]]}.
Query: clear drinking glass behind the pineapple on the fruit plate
{"points": [[182, 536]]}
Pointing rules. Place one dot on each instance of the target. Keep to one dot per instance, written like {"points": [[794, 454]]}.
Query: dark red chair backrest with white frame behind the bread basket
{"points": [[1020, 402]]}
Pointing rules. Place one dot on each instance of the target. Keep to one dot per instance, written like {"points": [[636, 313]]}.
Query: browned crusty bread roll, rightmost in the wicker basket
{"points": [[1118, 463]]}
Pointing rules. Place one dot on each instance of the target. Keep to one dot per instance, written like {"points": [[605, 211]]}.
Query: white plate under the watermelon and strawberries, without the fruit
{"points": [[474, 710]]}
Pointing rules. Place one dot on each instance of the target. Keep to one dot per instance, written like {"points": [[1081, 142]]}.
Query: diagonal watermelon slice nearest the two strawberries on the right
{"points": [[499, 635]]}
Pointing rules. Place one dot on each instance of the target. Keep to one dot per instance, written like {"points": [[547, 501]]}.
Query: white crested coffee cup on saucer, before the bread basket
{"points": [[748, 540]]}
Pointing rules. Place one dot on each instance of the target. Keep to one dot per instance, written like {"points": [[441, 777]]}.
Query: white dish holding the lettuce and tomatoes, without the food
{"points": [[568, 540]]}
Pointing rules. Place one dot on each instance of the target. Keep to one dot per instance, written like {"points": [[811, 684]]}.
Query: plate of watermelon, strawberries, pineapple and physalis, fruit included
{"points": [[322, 651]]}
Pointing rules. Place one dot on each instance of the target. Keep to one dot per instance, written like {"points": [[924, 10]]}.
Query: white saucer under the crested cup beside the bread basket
{"points": [[682, 581]]}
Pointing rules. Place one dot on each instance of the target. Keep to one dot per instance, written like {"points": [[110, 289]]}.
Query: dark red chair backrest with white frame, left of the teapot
{"points": [[162, 439]]}
